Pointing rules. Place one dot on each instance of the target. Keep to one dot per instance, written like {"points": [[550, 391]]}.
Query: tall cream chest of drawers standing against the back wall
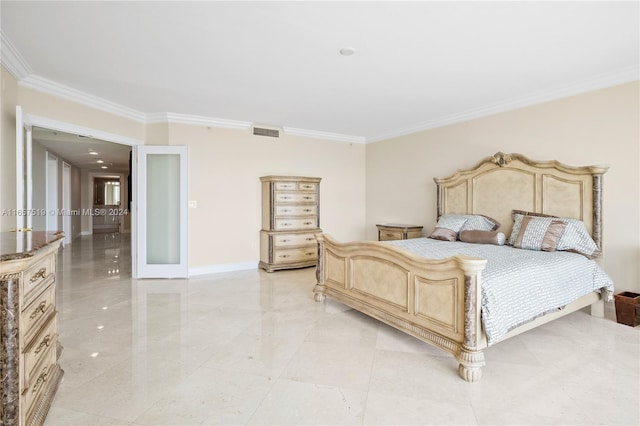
{"points": [[290, 217]]}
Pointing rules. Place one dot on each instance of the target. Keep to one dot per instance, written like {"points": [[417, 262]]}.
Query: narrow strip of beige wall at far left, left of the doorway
{"points": [[8, 100]]}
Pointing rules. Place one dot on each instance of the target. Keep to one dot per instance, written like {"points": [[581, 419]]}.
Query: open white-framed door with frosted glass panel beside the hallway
{"points": [[160, 211]]}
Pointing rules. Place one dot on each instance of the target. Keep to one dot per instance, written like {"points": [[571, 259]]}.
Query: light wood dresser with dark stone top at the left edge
{"points": [[29, 368]]}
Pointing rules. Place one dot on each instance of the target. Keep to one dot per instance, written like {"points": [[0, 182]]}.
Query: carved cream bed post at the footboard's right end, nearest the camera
{"points": [[470, 357]]}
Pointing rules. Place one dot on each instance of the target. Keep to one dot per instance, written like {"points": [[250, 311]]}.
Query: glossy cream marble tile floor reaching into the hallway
{"points": [[251, 347]]}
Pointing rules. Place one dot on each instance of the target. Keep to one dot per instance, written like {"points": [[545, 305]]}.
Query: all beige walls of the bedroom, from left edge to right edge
{"points": [[388, 181]]}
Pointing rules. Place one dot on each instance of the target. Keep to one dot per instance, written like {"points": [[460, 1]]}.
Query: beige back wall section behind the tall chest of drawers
{"points": [[224, 170]]}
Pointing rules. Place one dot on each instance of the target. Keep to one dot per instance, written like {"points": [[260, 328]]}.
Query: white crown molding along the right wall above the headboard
{"points": [[601, 81]]}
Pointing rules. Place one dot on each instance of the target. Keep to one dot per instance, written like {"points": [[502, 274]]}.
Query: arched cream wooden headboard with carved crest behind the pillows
{"points": [[504, 182]]}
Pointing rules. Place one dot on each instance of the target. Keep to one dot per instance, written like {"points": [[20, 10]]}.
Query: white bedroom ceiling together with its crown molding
{"points": [[417, 64]]}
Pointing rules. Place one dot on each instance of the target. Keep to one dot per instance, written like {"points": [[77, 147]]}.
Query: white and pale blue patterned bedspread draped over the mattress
{"points": [[520, 285]]}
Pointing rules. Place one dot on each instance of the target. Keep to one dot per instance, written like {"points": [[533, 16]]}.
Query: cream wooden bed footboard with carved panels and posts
{"points": [[437, 301]]}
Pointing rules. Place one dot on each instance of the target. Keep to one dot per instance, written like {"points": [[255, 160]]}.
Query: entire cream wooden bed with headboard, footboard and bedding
{"points": [[439, 294]]}
